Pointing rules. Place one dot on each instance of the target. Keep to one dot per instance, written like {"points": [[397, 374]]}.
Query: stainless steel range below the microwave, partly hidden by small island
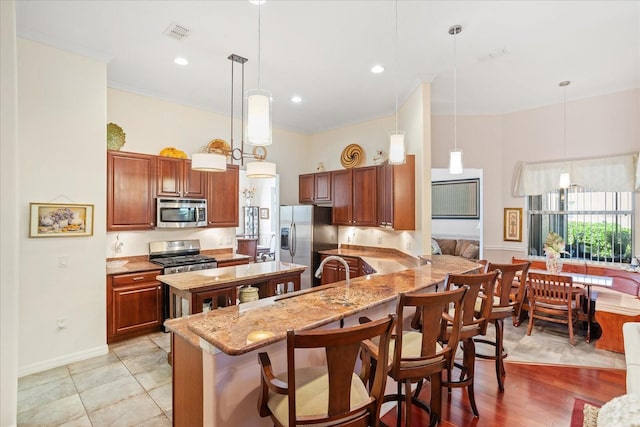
{"points": [[178, 256]]}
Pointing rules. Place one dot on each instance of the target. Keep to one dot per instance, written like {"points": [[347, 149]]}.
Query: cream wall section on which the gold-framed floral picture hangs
{"points": [[61, 159]]}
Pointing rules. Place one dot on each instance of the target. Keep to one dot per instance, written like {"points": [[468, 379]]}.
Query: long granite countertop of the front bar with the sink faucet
{"points": [[228, 328]]}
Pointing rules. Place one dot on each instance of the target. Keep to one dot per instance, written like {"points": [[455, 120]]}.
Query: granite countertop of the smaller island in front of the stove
{"points": [[228, 275]]}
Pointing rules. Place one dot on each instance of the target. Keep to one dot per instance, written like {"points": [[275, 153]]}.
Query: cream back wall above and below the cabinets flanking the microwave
{"points": [[151, 124]]}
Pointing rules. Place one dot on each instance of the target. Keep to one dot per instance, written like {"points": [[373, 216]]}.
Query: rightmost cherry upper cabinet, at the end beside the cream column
{"points": [[396, 187]]}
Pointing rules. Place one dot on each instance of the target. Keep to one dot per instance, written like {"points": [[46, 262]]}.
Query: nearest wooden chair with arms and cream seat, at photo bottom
{"points": [[331, 394]]}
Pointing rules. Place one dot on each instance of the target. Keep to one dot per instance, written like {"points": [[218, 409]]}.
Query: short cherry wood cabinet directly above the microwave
{"points": [[177, 179]]}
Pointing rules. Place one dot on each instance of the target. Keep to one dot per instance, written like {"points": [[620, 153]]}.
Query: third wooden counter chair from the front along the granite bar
{"points": [[474, 323]]}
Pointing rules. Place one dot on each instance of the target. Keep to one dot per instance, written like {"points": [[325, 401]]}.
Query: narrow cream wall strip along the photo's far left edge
{"points": [[9, 214]]}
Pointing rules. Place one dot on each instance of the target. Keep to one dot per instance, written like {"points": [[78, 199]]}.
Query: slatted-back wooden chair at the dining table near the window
{"points": [[552, 298]]}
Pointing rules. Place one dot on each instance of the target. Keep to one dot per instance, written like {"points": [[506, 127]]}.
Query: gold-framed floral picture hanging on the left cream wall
{"points": [[60, 220]]}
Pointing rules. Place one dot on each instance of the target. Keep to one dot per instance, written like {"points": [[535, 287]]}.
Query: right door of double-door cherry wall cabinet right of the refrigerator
{"points": [[365, 206]]}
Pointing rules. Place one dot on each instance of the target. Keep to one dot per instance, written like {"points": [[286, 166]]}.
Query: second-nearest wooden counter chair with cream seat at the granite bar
{"points": [[419, 354]]}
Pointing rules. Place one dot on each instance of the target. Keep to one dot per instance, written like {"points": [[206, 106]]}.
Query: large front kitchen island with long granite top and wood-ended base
{"points": [[215, 368]]}
